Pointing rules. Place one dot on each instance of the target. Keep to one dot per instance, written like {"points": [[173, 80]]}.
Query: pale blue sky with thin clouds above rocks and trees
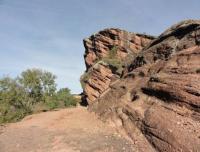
{"points": [[48, 34]]}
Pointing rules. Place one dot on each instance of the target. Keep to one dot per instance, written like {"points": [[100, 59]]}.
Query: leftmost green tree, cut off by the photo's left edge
{"points": [[13, 100]]}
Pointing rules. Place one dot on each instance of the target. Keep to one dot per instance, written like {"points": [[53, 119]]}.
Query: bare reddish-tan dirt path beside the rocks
{"points": [[67, 130]]}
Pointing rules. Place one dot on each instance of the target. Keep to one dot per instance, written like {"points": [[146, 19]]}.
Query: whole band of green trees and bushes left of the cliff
{"points": [[34, 90]]}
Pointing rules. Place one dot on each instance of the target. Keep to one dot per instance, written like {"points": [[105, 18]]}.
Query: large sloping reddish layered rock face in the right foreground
{"points": [[157, 99]]}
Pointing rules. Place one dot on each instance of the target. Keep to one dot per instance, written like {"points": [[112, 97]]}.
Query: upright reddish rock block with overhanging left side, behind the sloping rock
{"points": [[106, 54]]}
